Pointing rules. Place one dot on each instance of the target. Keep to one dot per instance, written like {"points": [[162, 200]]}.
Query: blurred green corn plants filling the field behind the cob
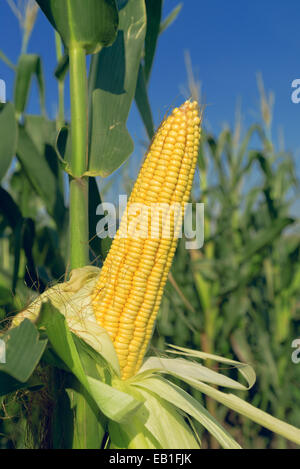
{"points": [[238, 296]]}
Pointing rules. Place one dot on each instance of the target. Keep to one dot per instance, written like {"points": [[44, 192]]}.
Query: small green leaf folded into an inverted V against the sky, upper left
{"points": [[29, 65]]}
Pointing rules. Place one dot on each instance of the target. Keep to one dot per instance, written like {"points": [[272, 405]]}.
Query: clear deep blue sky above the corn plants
{"points": [[229, 42]]}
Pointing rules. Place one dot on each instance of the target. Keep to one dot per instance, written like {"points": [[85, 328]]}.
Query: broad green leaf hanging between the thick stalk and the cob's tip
{"points": [[112, 83]]}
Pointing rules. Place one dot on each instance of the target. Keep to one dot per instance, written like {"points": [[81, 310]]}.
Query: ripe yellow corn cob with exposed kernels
{"points": [[128, 293]]}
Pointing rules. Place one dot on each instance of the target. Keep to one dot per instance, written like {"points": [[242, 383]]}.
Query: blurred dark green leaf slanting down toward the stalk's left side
{"points": [[40, 175]]}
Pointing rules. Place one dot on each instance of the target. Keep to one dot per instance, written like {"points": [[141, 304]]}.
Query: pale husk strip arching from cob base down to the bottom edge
{"points": [[182, 400]]}
